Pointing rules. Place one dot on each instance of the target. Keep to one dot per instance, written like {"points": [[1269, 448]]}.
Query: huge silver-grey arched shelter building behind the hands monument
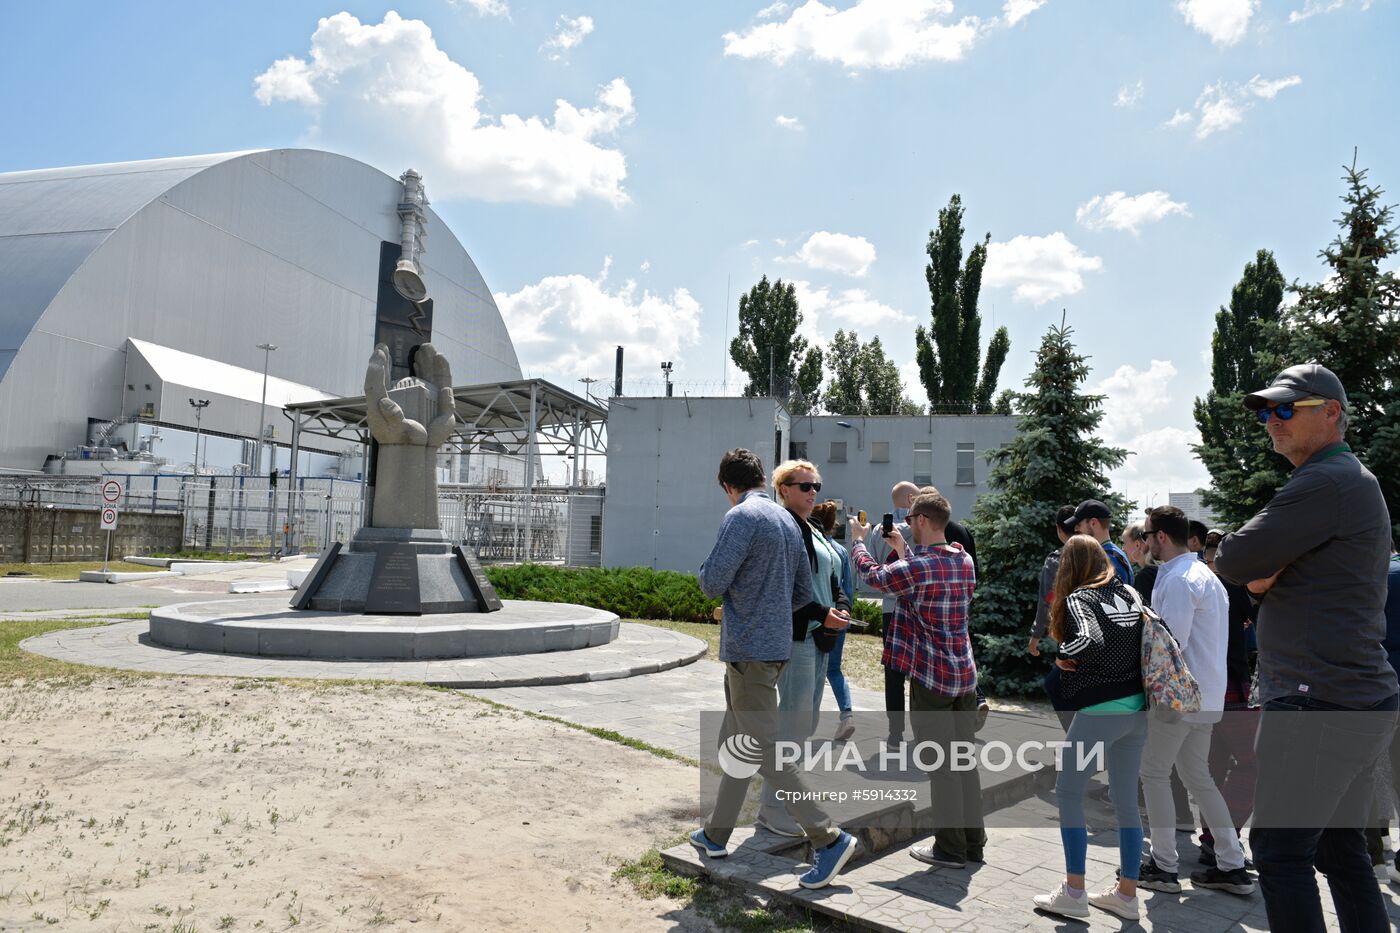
{"points": [[125, 288]]}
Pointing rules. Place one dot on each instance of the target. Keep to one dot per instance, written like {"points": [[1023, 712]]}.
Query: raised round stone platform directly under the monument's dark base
{"points": [[268, 628]]}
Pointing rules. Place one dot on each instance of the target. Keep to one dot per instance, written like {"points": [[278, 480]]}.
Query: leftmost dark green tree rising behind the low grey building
{"points": [[771, 352]]}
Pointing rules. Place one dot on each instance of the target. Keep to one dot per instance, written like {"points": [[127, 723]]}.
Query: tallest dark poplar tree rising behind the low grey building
{"points": [[950, 350]]}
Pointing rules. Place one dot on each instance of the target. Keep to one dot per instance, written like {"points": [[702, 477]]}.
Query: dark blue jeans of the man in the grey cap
{"points": [[1318, 760]]}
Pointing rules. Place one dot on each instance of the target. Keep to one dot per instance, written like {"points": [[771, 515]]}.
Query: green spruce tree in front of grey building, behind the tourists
{"points": [[1056, 460]]}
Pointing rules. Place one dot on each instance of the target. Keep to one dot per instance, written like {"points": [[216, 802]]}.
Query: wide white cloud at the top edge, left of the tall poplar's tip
{"points": [[870, 34]]}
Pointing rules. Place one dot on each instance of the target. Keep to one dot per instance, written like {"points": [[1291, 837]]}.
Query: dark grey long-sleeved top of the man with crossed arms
{"points": [[1322, 626]]}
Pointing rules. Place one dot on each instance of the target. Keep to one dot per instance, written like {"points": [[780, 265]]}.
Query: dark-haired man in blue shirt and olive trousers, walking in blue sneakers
{"points": [[759, 567]]}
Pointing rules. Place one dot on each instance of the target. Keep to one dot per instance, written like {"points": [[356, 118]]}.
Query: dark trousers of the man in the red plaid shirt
{"points": [[957, 795]]}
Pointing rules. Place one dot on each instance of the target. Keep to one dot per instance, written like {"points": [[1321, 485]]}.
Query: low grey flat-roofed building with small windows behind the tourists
{"points": [[664, 501]]}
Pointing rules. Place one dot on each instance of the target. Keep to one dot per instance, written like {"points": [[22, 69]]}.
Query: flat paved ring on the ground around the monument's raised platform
{"points": [[639, 649]]}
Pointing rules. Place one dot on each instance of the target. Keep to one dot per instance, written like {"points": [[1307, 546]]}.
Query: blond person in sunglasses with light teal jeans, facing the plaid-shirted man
{"points": [[803, 682]]}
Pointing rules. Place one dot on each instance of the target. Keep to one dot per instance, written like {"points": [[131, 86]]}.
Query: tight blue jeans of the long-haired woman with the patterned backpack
{"points": [[1123, 736]]}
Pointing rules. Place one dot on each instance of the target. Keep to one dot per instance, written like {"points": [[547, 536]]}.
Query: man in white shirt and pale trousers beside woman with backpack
{"points": [[1196, 609]]}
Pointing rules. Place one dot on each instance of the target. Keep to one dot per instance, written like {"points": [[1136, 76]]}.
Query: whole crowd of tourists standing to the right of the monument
{"points": [[1303, 588]]}
